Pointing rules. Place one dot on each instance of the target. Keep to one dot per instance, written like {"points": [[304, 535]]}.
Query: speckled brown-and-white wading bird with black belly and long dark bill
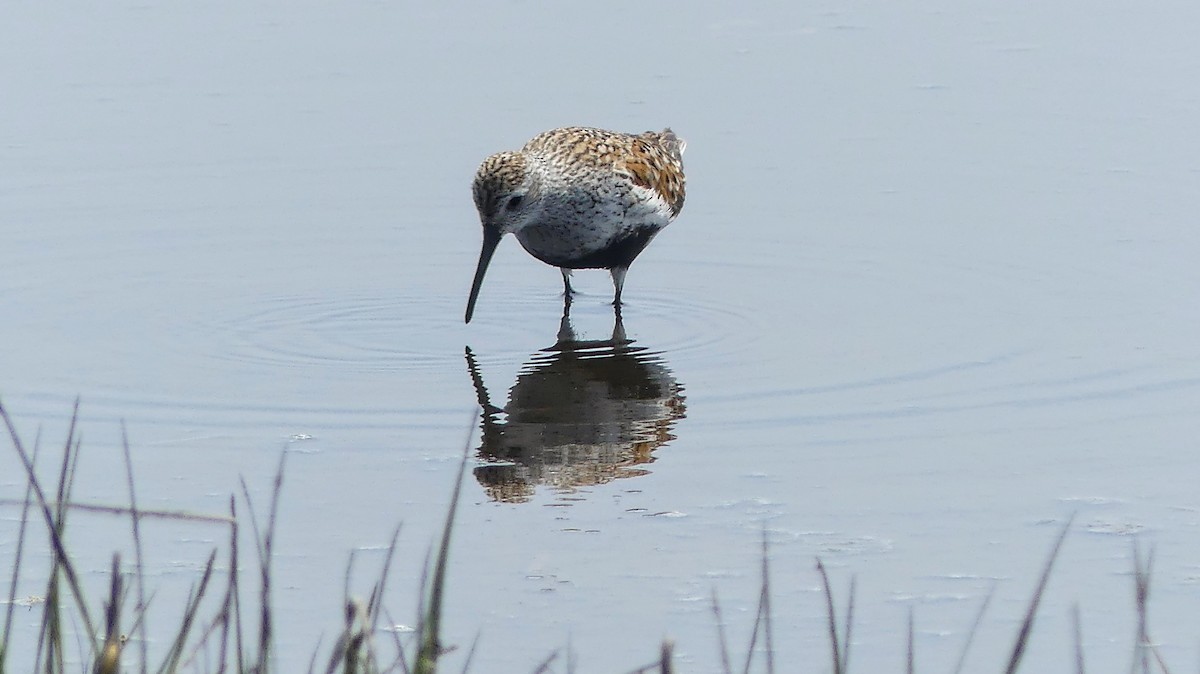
{"points": [[580, 198]]}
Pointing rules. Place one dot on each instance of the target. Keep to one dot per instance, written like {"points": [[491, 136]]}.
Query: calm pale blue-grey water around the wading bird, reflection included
{"points": [[933, 292]]}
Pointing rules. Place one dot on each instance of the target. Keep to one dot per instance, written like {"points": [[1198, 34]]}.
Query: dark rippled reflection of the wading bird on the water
{"points": [[581, 413]]}
